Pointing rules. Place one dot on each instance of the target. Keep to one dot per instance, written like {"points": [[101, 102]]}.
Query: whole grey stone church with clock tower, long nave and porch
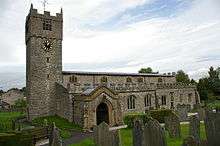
{"points": [[88, 98]]}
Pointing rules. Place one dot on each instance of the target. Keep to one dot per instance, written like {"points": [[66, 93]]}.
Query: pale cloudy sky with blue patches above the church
{"points": [[122, 35]]}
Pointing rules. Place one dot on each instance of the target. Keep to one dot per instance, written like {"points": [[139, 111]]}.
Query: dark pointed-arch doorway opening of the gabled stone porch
{"points": [[102, 113]]}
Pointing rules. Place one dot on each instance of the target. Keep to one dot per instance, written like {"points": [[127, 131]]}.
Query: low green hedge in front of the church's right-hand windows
{"points": [[159, 115]]}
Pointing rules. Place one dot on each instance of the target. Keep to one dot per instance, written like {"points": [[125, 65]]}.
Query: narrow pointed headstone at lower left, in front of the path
{"points": [[55, 139]]}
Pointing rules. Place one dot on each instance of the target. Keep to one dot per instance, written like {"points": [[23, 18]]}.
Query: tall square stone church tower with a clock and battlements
{"points": [[43, 37]]}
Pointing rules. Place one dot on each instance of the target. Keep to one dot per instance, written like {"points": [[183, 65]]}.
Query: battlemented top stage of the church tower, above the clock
{"points": [[44, 25]]}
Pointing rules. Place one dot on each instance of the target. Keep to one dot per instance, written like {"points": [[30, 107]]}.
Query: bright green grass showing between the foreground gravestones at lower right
{"points": [[126, 137]]}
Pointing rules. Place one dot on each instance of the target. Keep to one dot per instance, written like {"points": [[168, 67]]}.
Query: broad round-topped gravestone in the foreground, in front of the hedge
{"points": [[153, 134]]}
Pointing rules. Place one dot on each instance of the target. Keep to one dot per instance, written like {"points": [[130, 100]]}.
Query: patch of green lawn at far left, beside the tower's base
{"points": [[6, 119]]}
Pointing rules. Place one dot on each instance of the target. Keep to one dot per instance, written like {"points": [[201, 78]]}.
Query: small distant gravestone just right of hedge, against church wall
{"points": [[182, 112]]}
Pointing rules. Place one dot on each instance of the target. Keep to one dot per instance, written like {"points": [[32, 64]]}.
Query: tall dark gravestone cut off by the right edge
{"points": [[212, 126]]}
